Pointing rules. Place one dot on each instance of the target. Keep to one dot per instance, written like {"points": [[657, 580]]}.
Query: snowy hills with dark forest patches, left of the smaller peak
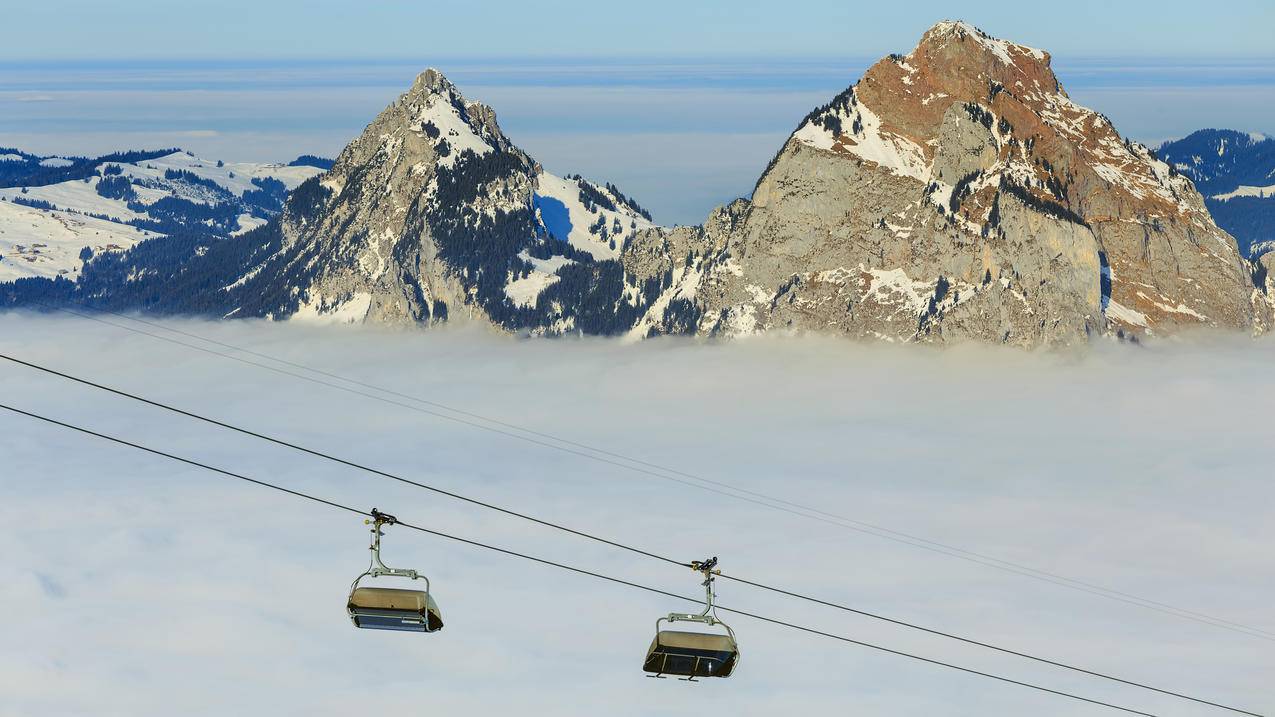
{"points": [[57, 212]]}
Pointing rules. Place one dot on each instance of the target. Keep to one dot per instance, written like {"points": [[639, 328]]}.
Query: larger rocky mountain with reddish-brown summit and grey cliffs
{"points": [[959, 195]]}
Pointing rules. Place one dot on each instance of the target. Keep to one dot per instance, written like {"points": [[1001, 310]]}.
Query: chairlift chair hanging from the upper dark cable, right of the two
{"points": [[694, 655]]}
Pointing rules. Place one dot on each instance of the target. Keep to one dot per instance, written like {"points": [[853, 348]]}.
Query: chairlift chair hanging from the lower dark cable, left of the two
{"points": [[391, 609]]}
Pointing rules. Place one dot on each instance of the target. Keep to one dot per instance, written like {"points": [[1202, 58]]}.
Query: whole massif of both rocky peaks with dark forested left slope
{"points": [[956, 193]]}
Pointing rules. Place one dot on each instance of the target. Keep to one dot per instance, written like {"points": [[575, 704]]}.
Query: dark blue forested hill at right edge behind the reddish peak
{"points": [[1236, 173]]}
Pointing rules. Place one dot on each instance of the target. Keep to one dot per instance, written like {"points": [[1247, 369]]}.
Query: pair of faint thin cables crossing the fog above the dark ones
{"points": [[655, 470]]}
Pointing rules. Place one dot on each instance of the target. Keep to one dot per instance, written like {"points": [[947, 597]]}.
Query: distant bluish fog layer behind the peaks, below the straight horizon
{"points": [[680, 136]]}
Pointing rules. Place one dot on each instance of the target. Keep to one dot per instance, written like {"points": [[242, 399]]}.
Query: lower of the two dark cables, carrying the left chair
{"points": [[572, 568]]}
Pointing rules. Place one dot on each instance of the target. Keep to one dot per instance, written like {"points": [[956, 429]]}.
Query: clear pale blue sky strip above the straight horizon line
{"points": [[653, 29]]}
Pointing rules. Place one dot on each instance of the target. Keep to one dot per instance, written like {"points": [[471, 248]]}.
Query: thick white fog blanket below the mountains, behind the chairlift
{"points": [[138, 586]]}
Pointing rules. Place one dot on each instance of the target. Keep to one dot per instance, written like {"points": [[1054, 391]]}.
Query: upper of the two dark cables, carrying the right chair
{"points": [[608, 542]]}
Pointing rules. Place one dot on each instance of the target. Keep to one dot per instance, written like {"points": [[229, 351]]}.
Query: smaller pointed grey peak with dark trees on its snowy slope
{"points": [[434, 215]]}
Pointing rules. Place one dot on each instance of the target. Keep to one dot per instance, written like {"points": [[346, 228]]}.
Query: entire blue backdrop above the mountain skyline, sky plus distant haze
{"points": [[681, 105]]}
